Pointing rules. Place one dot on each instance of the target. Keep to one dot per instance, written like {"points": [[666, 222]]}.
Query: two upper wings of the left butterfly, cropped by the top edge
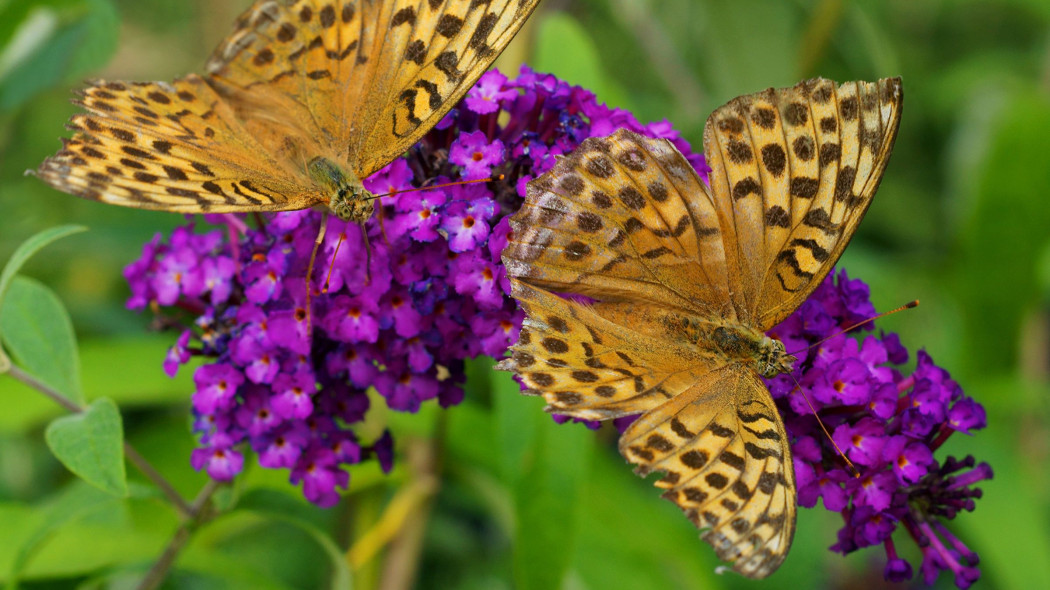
{"points": [[368, 78]]}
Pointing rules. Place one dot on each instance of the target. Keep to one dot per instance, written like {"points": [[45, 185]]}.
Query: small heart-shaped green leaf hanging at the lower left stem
{"points": [[92, 446]]}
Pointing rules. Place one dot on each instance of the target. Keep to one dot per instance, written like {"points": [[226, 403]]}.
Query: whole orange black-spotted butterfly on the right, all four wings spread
{"points": [[681, 281]]}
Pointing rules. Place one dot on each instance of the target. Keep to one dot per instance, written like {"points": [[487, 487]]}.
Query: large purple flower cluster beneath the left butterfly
{"points": [[404, 310]]}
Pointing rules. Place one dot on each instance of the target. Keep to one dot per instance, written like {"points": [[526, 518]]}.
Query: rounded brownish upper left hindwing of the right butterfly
{"points": [[623, 219]]}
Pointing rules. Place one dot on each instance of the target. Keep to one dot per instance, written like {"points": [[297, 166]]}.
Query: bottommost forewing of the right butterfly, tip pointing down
{"points": [[723, 449]]}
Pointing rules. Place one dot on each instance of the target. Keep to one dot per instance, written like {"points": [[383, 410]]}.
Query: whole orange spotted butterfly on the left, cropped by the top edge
{"points": [[300, 103]]}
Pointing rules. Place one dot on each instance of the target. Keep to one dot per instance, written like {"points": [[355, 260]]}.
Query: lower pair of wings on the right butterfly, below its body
{"points": [[711, 427]]}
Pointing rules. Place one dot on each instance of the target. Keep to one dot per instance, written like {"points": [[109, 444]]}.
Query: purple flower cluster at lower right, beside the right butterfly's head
{"points": [[888, 424]]}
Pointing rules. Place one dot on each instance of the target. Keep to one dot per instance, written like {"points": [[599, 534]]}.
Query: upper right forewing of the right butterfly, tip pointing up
{"points": [[793, 173]]}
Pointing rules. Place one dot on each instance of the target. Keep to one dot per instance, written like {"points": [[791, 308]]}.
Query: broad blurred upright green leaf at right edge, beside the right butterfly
{"points": [[1003, 238]]}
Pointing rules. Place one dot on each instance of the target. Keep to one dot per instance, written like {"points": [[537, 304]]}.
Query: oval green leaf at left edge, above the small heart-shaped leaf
{"points": [[37, 331]]}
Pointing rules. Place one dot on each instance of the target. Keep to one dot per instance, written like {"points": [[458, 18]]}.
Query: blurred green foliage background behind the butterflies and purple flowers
{"points": [[962, 223]]}
